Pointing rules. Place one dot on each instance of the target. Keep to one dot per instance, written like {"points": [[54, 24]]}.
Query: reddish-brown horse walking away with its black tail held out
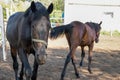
{"points": [[78, 34]]}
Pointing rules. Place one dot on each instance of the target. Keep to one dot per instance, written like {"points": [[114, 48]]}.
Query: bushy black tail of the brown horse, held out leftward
{"points": [[60, 30]]}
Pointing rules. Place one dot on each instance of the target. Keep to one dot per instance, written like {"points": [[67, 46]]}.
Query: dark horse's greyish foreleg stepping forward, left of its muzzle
{"points": [[24, 60]]}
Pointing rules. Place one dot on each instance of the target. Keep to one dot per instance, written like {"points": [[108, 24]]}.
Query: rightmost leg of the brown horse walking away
{"points": [[90, 57]]}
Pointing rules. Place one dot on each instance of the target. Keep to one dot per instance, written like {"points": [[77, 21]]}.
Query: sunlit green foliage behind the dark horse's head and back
{"points": [[22, 5]]}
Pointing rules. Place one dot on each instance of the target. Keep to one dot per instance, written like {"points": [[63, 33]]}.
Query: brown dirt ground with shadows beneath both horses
{"points": [[105, 62]]}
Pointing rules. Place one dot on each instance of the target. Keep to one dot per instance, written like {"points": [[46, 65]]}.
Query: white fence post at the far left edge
{"points": [[3, 33]]}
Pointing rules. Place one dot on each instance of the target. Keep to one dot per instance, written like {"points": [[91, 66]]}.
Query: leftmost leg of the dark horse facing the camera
{"points": [[15, 63]]}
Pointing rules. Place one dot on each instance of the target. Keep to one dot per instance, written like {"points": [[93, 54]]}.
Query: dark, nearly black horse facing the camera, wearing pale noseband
{"points": [[27, 32]]}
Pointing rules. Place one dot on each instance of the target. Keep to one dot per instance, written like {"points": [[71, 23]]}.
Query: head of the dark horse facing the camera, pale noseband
{"points": [[40, 25]]}
